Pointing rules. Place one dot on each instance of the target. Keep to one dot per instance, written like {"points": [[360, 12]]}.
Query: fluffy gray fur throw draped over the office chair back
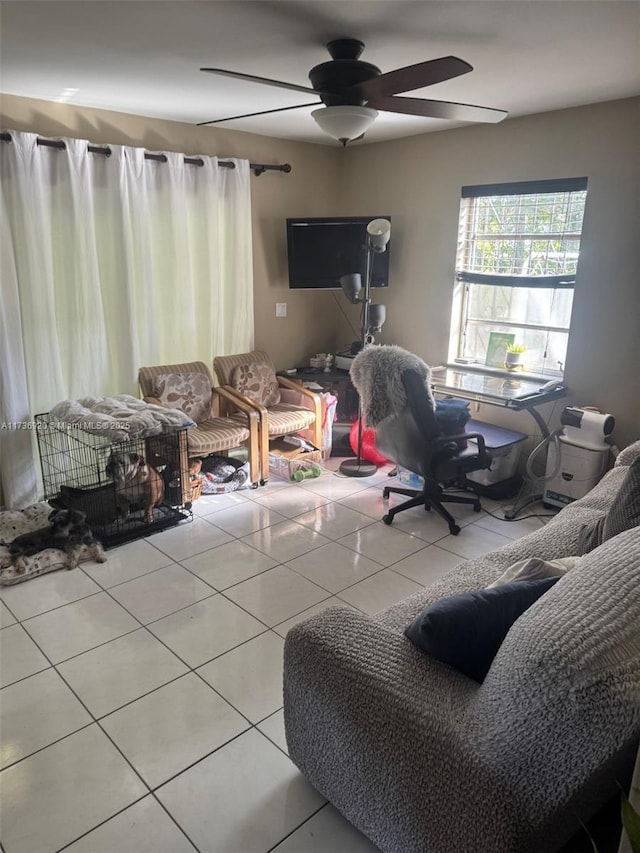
{"points": [[376, 374]]}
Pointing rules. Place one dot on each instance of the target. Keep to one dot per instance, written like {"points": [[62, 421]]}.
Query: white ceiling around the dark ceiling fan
{"points": [[144, 57]]}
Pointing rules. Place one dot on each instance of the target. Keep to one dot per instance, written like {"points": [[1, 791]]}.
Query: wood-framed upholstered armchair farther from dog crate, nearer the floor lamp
{"points": [[284, 406]]}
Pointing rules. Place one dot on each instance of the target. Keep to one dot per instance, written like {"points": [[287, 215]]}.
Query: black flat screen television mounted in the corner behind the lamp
{"points": [[321, 250]]}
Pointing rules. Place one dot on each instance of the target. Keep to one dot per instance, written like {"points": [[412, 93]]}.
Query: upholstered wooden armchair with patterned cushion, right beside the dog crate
{"points": [[188, 387]]}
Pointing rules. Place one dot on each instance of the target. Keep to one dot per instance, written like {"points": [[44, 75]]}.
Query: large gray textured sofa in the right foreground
{"points": [[422, 759]]}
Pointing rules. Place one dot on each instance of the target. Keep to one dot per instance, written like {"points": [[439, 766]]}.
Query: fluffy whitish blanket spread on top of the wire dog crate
{"points": [[119, 418]]}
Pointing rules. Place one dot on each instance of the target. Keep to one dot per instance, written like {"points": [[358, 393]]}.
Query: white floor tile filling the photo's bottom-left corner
{"points": [[56, 795]]}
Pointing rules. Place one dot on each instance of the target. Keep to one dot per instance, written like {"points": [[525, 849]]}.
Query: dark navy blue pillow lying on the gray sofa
{"points": [[466, 630]]}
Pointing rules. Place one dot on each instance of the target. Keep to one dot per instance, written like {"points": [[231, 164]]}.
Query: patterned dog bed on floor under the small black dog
{"points": [[14, 523]]}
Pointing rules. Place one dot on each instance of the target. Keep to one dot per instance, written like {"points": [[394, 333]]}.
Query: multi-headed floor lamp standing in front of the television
{"points": [[372, 318]]}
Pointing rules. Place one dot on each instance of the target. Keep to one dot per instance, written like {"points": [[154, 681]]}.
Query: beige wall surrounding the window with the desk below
{"points": [[417, 181]]}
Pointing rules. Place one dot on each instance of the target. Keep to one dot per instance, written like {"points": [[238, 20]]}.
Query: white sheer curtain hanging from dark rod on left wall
{"points": [[109, 264]]}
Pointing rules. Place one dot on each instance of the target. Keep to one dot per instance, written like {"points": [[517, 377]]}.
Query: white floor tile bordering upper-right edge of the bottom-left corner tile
{"points": [[168, 730]]}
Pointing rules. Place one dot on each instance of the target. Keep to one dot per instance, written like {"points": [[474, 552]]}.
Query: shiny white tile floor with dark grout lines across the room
{"points": [[141, 701]]}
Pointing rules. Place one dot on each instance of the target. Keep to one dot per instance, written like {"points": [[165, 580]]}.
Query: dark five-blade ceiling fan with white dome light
{"points": [[353, 91]]}
